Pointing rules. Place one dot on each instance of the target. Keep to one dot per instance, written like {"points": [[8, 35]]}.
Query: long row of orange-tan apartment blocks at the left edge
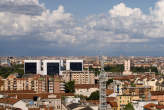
{"points": [[37, 83]]}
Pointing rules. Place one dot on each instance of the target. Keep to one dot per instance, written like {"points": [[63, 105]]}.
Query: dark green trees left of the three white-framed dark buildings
{"points": [[6, 71]]}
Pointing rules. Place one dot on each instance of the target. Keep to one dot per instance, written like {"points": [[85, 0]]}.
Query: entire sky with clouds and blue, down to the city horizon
{"points": [[81, 27]]}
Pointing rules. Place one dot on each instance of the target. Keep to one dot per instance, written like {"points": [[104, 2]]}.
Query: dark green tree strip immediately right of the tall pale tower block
{"points": [[144, 69]]}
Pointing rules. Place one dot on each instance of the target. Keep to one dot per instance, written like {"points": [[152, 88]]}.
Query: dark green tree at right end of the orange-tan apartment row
{"points": [[70, 87]]}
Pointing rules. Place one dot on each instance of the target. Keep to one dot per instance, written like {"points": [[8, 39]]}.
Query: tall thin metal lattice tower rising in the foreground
{"points": [[102, 87]]}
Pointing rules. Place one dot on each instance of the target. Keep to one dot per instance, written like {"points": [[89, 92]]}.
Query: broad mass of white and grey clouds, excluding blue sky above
{"points": [[120, 29]]}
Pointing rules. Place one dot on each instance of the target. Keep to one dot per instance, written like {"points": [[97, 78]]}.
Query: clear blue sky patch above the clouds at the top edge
{"points": [[84, 8]]}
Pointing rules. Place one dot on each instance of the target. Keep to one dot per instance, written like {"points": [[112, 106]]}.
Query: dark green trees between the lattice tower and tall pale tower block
{"points": [[114, 68]]}
